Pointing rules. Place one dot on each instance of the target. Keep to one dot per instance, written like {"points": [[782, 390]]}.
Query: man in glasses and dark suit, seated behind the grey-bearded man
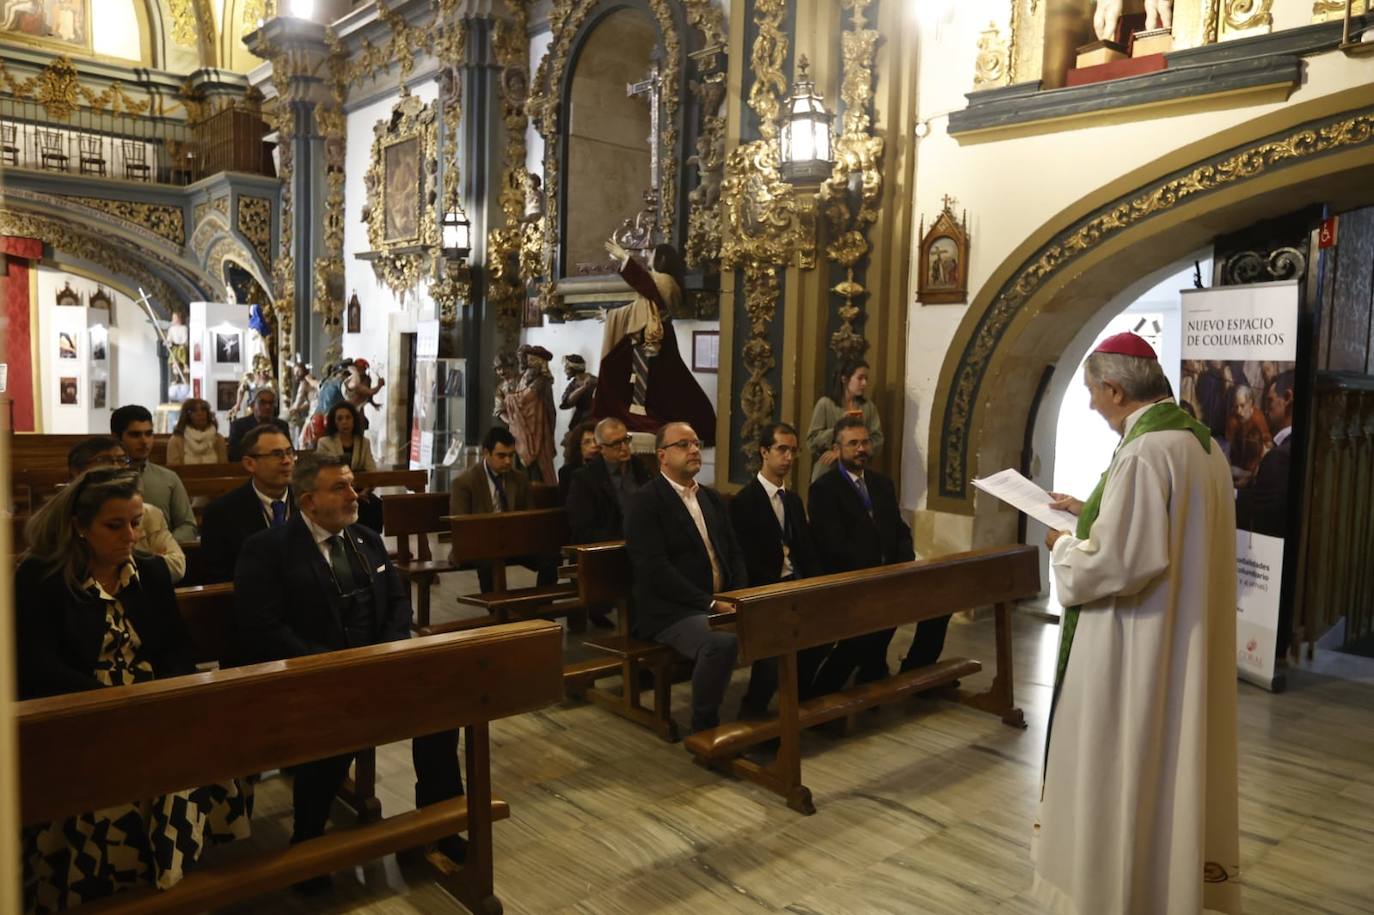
{"points": [[266, 501]]}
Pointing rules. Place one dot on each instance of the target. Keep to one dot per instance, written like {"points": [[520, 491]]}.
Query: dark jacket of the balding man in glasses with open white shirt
{"points": [[670, 563]]}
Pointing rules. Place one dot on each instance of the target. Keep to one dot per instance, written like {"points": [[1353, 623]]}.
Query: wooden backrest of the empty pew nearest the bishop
{"points": [[773, 620]]}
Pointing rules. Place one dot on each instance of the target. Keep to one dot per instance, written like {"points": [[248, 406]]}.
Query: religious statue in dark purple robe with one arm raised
{"points": [[644, 380]]}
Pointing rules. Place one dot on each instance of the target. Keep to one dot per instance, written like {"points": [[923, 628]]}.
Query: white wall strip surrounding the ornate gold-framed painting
{"points": [[383, 310]]}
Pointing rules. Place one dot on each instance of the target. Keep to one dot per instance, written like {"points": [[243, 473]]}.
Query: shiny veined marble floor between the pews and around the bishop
{"points": [[924, 809]]}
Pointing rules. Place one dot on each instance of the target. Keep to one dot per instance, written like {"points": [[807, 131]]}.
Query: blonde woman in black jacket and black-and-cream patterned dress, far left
{"points": [[94, 613]]}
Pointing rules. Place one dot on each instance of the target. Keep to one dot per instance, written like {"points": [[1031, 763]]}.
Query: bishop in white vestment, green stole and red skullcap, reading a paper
{"points": [[1138, 810]]}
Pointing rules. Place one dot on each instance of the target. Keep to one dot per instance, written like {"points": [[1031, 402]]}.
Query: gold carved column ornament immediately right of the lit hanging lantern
{"points": [[858, 152]]}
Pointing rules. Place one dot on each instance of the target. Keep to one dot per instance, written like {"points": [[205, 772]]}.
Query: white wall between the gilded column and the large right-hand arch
{"points": [[990, 181]]}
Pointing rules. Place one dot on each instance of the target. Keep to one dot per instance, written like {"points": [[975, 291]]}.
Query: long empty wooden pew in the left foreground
{"points": [[159, 737]]}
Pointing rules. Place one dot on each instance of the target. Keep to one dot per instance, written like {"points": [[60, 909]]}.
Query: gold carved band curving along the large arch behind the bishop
{"points": [[1093, 231]]}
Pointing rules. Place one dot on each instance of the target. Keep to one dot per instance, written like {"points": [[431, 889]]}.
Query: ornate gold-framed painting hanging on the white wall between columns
{"points": [[401, 182]]}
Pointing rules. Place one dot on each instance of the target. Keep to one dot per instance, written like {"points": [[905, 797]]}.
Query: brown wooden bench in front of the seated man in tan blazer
{"points": [[502, 538]]}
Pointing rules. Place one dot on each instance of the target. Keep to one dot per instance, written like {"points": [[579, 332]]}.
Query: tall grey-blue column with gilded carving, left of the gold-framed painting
{"points": [[300, 79]]}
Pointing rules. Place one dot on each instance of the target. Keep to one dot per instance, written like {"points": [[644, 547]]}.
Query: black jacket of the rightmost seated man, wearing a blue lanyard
{"points": [[846, 536]]}
